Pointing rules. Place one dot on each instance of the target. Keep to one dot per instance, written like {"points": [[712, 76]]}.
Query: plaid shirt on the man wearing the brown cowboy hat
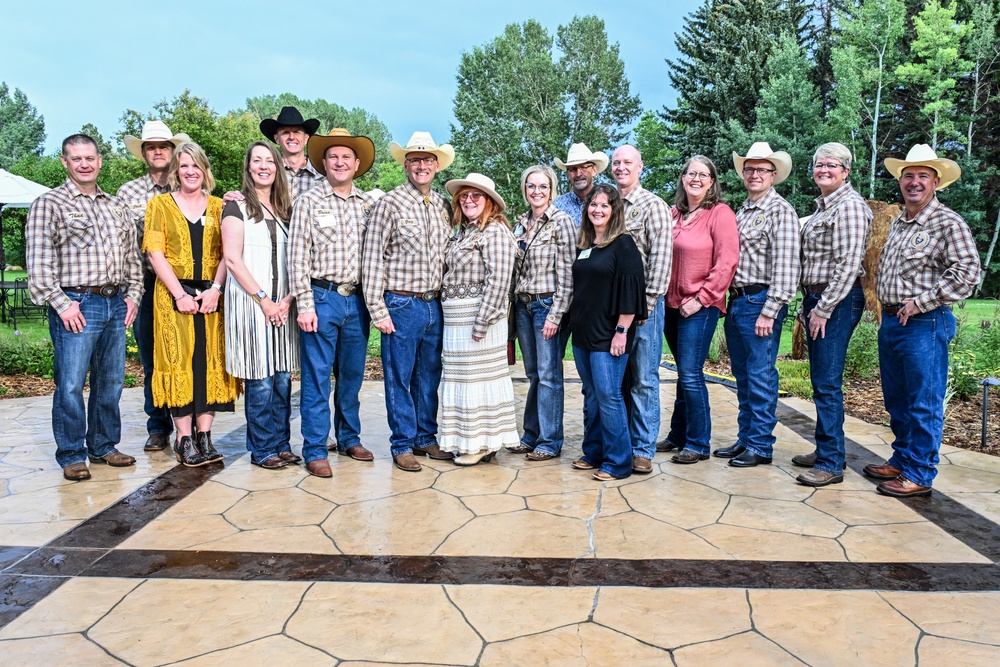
{"points": [[325, 238]]}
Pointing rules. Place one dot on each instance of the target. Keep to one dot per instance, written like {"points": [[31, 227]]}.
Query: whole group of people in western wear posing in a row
{"points": [[290, 272]]}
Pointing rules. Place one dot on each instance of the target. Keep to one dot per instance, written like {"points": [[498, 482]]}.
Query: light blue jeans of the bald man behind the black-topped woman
{"points": [[644, 364]]}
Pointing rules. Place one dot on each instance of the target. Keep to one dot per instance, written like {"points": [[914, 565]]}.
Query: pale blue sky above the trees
{"points": [[88, 62]]}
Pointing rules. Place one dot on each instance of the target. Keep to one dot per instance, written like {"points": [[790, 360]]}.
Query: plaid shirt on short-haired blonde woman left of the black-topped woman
{"points": [[545, 257]]}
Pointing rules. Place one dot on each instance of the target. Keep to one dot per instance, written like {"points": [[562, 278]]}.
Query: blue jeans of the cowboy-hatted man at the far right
{"points": [[913, 361]]}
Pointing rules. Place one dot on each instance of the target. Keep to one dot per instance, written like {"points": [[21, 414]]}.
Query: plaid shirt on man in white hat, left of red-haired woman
{"points": [[404, 246]]}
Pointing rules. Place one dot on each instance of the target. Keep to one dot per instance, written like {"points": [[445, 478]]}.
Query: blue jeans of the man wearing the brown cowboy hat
{"points": [[341, 339]]}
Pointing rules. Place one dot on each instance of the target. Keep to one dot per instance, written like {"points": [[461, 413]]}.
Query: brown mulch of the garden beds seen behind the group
{"points": [[862, 399]]}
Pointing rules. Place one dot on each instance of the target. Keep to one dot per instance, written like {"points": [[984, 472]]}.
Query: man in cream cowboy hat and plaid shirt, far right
{"points": [[929, 262]]}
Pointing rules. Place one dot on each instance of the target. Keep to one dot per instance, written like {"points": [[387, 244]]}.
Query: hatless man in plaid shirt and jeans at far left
{"points": [[83, 262]]}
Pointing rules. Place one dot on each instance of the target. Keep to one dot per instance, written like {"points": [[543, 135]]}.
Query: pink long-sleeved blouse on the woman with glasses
{"points": [[706, 252]]}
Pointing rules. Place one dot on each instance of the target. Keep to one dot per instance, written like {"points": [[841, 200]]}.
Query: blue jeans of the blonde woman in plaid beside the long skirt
{"points": [[543, 408]]}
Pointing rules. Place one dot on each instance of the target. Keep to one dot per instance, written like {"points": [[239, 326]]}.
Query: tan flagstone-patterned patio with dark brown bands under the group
{"points": [[507, 563]]}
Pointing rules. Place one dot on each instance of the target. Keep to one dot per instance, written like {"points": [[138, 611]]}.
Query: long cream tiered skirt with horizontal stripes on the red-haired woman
{"points": [[477, 397]]}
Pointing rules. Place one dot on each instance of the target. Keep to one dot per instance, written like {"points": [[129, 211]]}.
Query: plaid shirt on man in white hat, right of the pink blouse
{"points": [[769, 249]]}
